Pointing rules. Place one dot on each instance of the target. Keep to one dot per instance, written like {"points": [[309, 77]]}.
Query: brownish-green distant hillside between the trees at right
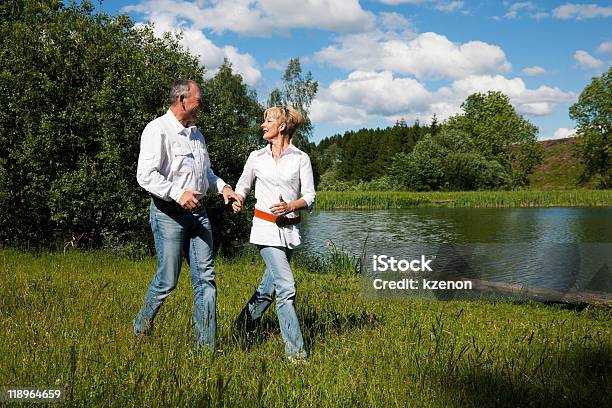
{"points": [[559, 169]]}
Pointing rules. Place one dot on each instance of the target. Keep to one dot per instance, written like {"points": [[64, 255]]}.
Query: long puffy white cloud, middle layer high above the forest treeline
{"points": [[428, 56]]}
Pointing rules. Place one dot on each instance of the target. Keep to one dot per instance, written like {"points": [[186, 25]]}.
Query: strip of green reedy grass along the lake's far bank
{"points": [[331, 200]]}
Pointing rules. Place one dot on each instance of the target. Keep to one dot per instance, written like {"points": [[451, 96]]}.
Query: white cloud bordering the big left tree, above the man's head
{"points": [[209, 55]]}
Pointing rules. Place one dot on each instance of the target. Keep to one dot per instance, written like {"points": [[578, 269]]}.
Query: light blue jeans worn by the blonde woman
{"points": [[278, 279]]}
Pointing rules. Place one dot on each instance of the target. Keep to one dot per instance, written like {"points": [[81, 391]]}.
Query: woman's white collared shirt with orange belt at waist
{"points": [[290, 177]]}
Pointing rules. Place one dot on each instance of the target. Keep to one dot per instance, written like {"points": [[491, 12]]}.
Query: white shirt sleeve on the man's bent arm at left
{"points": [[150, 161]]}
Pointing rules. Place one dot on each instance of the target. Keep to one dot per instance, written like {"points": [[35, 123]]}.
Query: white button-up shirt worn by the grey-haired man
{"points": [[174, 159]]}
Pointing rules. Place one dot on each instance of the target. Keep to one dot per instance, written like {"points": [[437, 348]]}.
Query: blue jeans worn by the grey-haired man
{"points": [[174, 234]]}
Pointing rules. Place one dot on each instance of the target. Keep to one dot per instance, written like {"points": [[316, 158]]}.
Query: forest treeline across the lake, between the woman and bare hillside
{"points": [[487, 146]]}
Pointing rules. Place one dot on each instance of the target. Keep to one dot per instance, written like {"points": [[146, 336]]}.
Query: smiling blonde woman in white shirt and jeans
{"points": [[283, 186]]}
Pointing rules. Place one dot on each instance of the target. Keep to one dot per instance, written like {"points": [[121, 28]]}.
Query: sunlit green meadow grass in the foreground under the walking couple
{"points": [[66, 321]]}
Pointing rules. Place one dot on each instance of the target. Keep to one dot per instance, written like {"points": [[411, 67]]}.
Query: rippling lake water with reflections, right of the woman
{"points": [[531, 246]]}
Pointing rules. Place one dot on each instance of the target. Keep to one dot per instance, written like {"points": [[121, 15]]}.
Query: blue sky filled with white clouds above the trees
{"points": [[380, 61]]}
